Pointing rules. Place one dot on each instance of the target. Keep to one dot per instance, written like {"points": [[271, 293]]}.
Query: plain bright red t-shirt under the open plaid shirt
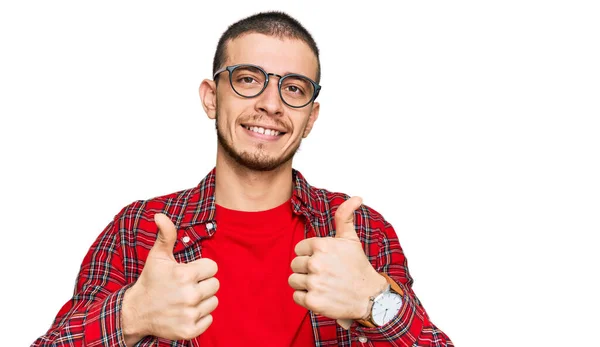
{"points": [[253, 251]]}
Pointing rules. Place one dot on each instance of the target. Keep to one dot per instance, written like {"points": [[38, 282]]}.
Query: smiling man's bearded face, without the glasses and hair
{"points": [[263, 133]]}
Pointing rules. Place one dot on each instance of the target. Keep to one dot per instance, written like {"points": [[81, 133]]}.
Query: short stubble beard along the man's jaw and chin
{"points": [[257, 160]]}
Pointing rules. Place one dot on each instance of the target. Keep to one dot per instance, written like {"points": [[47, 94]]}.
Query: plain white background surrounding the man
{"points": [[471, 126]]}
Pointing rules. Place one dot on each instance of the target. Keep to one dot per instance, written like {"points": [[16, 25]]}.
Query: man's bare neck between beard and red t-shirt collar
{"points": [[242, 189]]}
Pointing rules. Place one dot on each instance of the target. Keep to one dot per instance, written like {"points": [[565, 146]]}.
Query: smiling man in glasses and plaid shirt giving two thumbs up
{"points": [[290, 264]]}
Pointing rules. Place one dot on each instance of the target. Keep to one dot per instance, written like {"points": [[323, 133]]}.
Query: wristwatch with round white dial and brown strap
{"points": [[385, 306]]}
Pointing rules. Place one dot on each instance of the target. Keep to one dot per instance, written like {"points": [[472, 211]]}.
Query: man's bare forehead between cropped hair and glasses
{"points": [[274, 54]]}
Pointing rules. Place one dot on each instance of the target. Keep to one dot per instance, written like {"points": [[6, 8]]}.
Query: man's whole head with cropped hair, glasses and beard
{"points": [[262, 118]]}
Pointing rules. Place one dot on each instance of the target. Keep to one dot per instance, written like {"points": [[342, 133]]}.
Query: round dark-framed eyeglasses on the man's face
{"points": [[249, 81]]}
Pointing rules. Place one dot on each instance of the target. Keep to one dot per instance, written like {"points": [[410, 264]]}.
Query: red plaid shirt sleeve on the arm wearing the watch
{"points": [[411, 327]]}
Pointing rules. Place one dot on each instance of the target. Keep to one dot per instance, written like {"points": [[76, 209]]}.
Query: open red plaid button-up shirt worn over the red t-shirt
{"points": [[113, 263]]}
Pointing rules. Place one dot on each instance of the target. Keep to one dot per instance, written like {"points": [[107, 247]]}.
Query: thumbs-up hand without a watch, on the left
{"points": [[169, 299]]}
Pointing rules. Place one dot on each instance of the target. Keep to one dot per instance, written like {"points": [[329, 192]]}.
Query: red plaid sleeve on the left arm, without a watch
{"points": [[92, 317]]}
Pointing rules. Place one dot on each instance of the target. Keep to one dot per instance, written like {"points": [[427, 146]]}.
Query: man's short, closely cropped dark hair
{"points": [[272, 23]]}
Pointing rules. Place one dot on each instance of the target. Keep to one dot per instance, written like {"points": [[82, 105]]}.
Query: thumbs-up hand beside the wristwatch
{"points": [[332, 275]]}
